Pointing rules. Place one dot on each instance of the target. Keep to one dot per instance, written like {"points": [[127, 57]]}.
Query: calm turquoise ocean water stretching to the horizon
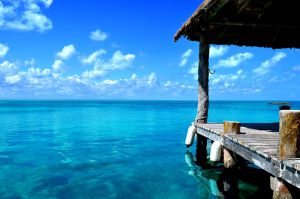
{"points": [[110, 149]]}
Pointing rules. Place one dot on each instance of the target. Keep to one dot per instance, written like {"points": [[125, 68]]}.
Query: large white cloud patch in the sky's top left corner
{"points": [[24, 15]]}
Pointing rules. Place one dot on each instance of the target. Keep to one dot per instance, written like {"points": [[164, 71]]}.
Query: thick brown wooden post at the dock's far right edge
{"points": [[289, 147]]}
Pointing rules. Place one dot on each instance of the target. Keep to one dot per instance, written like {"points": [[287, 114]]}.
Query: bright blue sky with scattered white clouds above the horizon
{"points": [[91, 49]]}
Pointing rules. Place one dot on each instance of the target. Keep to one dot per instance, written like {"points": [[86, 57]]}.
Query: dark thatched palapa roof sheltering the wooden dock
{"points": [[264, 23]]}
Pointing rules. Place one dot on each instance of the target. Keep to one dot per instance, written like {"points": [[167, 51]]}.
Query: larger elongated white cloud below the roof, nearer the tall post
{"points": [[234, 60]]}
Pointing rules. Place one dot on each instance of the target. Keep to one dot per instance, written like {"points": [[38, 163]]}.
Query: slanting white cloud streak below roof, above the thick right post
{"points": [[264, 68]]}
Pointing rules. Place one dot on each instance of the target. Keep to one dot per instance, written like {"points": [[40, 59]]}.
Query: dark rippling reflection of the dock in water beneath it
{"points": [[250, 182]]}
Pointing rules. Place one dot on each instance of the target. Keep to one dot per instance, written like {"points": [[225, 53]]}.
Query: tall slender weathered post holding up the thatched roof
{"points": [[203, 100]]}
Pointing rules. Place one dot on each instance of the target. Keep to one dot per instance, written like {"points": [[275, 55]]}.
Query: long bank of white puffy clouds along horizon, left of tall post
{"points": [[24, 77]]}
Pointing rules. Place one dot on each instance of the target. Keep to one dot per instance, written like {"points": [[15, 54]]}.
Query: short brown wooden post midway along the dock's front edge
{"points": [[230, 127]]}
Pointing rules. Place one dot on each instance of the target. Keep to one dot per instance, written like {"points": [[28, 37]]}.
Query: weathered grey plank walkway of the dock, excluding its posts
{"points": [[257, 143]]}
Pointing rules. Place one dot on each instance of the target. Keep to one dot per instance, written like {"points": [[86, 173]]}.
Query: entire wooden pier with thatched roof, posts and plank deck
{"points": [[269, 24]]}
